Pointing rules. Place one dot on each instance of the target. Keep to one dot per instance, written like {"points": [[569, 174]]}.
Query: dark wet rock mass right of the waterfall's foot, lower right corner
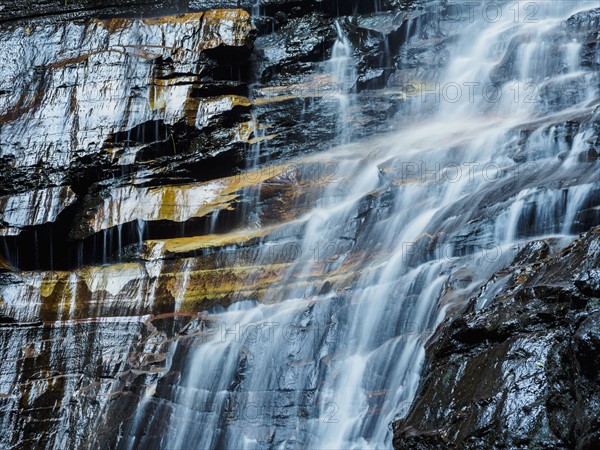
{"points": [[521, 372]]}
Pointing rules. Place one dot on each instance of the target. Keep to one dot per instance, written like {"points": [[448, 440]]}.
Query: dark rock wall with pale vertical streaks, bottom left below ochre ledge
{"points": [[58, 373]]}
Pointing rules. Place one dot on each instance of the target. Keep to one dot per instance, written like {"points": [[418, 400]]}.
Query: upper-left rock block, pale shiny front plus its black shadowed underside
{"points": [[86, 101]]}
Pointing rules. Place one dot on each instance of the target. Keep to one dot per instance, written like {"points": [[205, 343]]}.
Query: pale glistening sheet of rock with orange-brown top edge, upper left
{"points": [[129, 68]]}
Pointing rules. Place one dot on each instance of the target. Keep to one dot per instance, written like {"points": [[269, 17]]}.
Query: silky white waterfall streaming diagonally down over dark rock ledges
{"points": [[333, 353]]}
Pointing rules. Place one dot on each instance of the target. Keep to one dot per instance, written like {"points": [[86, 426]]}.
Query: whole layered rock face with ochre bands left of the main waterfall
{"points": [[125, 132]]}
